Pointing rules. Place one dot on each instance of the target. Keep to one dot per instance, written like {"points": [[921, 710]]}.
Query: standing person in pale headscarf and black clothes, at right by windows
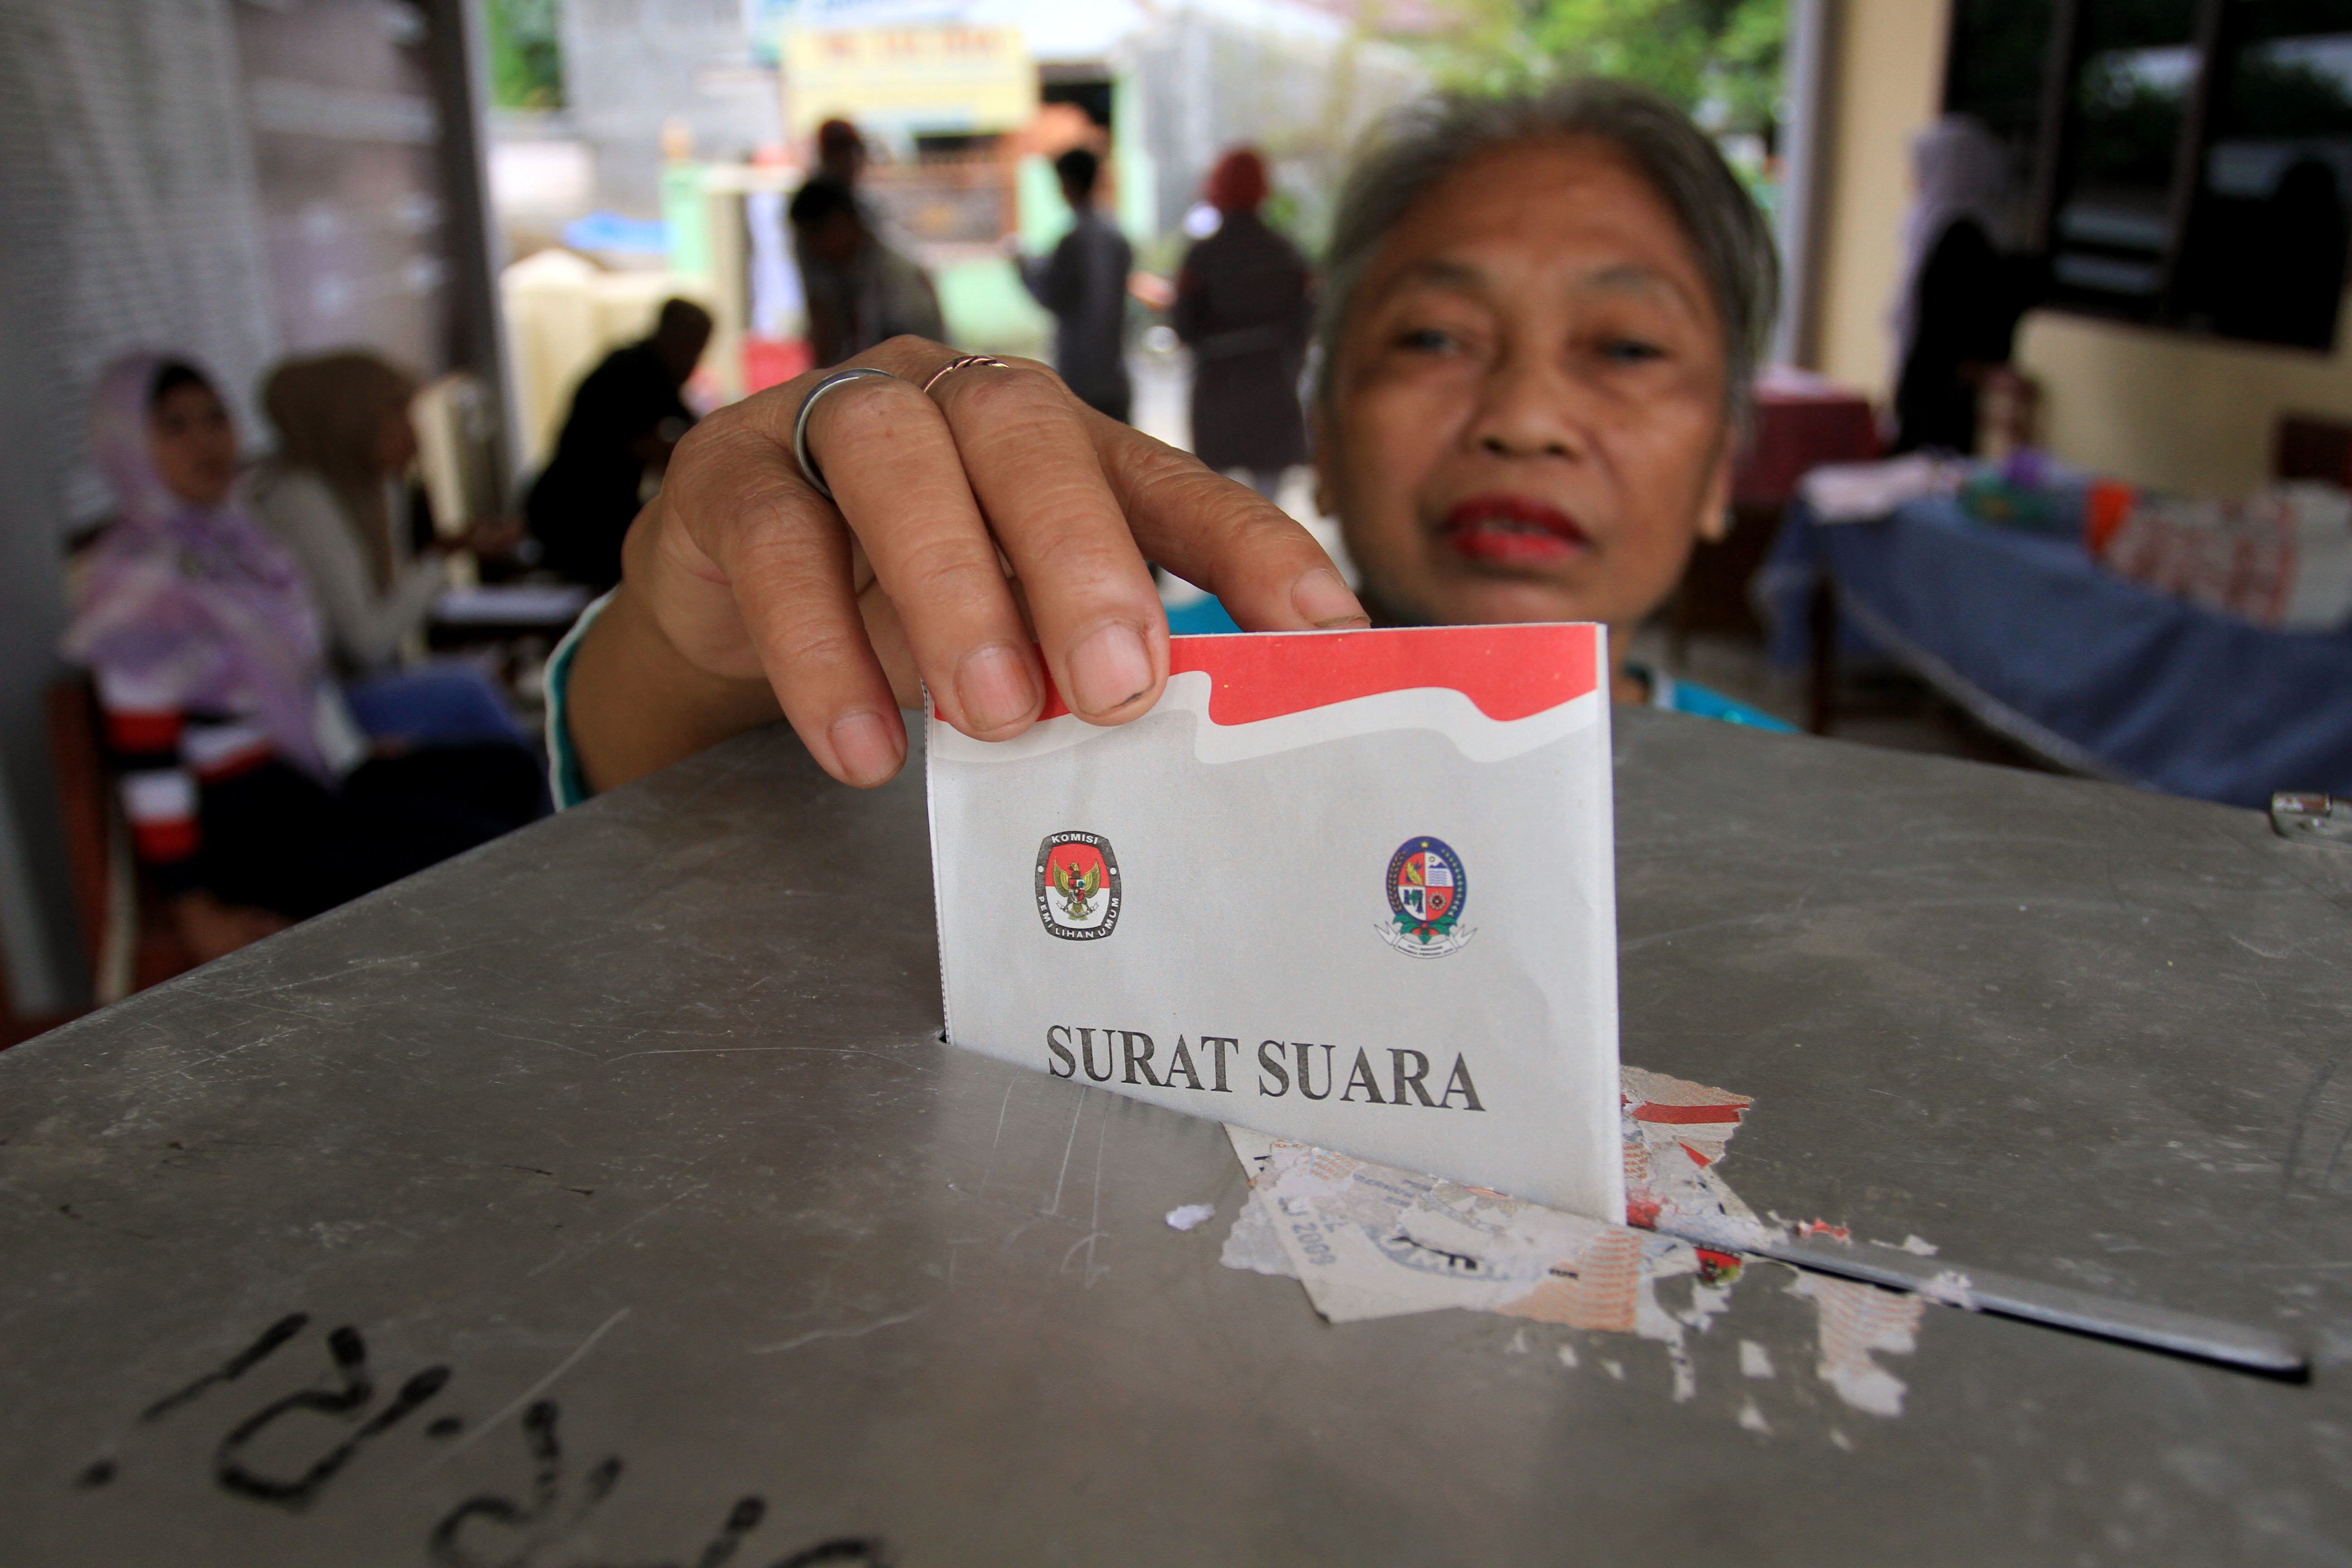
{"points": [[1958, 304]]}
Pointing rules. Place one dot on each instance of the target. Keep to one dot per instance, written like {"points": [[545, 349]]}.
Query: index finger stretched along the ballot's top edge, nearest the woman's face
{"points": [[1224, 537]]}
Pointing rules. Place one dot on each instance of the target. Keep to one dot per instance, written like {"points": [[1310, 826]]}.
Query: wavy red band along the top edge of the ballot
{"points": [[1506, 671]]}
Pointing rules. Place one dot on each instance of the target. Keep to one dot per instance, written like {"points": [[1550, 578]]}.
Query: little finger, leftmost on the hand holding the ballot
{"points": [[770, 565]]}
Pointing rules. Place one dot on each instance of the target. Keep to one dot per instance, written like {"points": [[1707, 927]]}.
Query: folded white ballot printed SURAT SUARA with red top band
{"points": [[1351, 890]]}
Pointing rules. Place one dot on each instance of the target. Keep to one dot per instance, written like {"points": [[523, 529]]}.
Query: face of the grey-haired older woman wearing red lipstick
{"points": [[1528, 415]]}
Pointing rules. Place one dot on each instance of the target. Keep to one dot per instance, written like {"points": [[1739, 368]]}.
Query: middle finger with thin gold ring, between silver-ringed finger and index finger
{"points": [[1034, 464]]}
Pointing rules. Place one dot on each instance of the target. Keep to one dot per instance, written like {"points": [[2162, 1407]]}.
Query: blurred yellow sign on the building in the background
{"points": [[930, 79]]}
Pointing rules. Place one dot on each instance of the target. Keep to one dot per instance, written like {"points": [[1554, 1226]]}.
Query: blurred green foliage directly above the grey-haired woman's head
{"points": [[1718, 60]]}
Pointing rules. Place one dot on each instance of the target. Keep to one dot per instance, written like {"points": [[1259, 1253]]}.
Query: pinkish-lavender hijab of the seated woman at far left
{"points": [[194, 608]]}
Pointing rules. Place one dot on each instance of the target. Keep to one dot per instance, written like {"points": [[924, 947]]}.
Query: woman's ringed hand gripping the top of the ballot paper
{"points": [[984, 540]]}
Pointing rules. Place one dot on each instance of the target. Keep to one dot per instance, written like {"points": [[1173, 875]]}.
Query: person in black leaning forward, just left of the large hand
{"points": [[627, 420]]}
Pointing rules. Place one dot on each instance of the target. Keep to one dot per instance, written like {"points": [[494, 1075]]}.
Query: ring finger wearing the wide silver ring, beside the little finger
{"points": [[900, 481]]}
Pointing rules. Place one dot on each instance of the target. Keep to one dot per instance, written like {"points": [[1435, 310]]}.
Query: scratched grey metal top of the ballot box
{"points": [[627, 1167]]}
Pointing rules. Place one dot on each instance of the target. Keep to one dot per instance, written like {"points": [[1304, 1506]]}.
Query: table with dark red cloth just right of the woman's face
{"points": [[1800, 424]]}
